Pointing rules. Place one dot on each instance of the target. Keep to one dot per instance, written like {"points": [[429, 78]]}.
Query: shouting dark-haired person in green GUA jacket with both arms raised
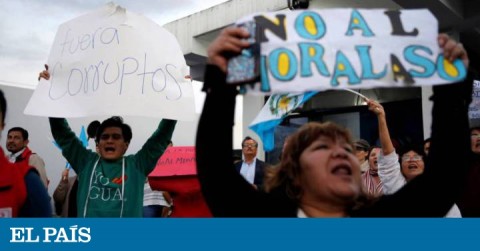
{"points": [[109, 183]]}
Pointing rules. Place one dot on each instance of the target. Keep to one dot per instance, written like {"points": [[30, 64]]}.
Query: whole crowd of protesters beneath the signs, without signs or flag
{"points": [[323, 171]]}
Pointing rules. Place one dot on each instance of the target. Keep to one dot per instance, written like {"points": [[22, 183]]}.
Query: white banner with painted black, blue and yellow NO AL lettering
{"points": [[349, 48]]}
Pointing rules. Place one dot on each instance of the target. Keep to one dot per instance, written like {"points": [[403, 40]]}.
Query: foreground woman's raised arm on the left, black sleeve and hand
{"points": [[226, 192]]}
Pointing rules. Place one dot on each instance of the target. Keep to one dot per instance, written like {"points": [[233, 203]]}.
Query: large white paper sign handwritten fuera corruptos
{"points": [[114, 62]]}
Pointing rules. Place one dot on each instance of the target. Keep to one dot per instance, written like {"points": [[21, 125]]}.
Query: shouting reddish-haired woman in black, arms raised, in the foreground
{"points": [[319, 175]]}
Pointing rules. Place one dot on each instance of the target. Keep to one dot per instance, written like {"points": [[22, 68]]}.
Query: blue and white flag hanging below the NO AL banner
{"points": [[273, 112]]}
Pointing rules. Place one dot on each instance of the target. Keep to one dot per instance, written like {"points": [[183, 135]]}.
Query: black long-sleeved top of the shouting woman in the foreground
{"points": [[431, 194]]}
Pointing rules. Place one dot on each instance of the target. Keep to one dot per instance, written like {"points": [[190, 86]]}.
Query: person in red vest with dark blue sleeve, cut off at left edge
{"points": [[22, 193]]}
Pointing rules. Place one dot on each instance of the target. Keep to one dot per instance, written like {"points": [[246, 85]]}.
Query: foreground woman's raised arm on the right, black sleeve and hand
{"points": [[432, 193]]}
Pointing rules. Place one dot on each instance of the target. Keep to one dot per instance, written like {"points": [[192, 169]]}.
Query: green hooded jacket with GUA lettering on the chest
{"points": [[104, 187]]}
